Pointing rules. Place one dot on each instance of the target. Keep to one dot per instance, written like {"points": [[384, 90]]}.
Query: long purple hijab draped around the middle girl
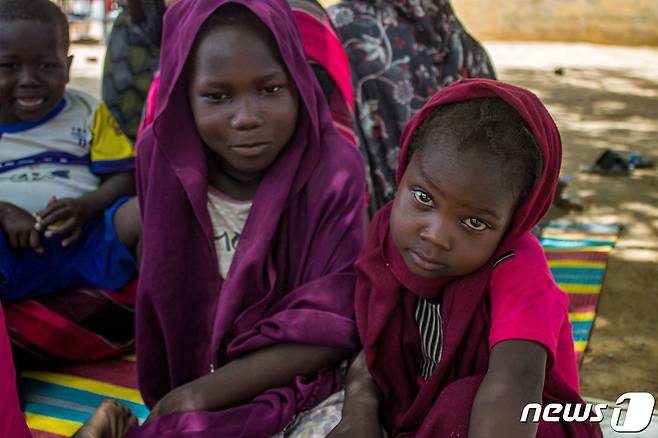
{"points": [[292, 277]]}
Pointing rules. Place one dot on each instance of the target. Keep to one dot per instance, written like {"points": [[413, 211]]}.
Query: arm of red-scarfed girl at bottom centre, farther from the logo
{"points": [[361, 407]]}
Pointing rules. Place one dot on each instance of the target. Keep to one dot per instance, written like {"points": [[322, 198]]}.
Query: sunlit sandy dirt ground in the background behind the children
{"points": [[607, 97]]}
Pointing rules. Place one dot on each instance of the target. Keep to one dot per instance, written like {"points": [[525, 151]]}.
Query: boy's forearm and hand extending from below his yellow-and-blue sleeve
{"points": [[73, 213]]}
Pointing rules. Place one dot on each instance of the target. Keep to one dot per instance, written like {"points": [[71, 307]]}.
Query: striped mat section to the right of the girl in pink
{"points": [[577, 255]]}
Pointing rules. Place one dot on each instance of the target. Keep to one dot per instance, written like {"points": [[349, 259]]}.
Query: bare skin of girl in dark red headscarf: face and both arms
{"points": [[450, 213]]}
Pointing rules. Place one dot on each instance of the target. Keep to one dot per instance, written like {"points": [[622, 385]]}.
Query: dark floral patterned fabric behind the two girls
{"points": [[401, 52]]}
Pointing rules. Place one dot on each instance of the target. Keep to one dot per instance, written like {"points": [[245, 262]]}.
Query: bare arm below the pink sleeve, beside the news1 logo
{"points": [[514, 379]]}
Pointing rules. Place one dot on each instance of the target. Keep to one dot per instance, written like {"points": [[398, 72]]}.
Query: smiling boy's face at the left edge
{"points": [[34, 70]]}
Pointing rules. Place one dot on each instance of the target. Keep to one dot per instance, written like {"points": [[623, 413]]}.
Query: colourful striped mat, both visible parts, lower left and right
{"points": [[59, 401]]}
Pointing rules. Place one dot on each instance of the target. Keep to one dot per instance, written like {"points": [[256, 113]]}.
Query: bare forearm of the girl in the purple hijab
{"points": [[243, 379]]}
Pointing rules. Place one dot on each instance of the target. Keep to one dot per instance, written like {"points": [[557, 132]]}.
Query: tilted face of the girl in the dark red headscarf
{"points": [[451, 211]]}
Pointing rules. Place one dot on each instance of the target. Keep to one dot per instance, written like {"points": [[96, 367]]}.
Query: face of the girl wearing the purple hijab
{"points": [[243, 101]]}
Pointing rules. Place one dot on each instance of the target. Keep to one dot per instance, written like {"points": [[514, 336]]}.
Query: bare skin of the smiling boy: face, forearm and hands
{"points": [[33, 75]]}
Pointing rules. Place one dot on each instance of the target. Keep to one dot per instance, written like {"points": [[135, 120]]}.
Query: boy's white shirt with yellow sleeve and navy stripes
{"points": [[62, 155]]}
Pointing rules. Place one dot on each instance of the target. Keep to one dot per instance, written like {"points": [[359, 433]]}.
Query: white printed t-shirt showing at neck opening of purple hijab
{"points": [[228, 217]]}
